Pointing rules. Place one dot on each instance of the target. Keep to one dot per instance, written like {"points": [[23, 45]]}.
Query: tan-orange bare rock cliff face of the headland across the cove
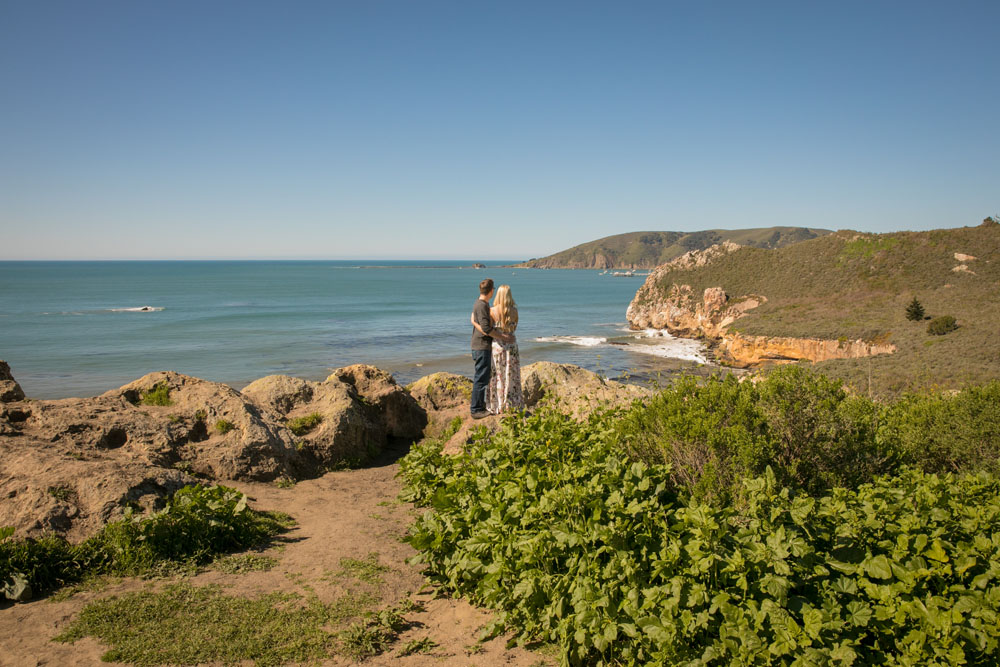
{"points": [[709, 315]]}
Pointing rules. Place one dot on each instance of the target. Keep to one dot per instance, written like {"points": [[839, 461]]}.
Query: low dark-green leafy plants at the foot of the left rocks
{"points": [[197, 523]]}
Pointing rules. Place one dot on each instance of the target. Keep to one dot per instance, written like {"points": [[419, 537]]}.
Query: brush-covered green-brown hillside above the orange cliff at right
{"points": [[851, 285]]}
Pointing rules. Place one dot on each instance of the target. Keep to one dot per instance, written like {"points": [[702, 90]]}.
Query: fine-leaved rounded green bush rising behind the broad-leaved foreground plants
{"points": [[714, 434]]}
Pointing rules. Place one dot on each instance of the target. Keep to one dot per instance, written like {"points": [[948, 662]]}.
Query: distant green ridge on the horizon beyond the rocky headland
{"points": [[646, 250]]}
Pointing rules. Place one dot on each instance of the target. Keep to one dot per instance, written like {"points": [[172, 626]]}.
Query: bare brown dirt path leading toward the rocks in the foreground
{"points": [[349, 514]]}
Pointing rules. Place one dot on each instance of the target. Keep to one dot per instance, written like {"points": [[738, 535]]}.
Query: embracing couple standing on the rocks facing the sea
{"points": [[496, 385]]}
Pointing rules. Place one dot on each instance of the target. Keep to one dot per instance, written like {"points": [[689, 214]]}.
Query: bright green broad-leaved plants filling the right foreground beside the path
{"points": [[551, 524]]}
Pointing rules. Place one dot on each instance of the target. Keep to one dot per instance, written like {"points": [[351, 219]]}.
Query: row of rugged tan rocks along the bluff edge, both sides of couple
{"points": [[69, 466]]}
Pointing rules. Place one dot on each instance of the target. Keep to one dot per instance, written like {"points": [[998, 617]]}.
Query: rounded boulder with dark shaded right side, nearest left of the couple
{"points": [[402, 415]]}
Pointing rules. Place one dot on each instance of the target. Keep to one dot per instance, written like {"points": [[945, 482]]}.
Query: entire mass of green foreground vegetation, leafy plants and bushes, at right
{"points": [[787, 522]]}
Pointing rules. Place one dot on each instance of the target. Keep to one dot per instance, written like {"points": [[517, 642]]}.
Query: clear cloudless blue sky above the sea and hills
{"points": [[426, 129]]}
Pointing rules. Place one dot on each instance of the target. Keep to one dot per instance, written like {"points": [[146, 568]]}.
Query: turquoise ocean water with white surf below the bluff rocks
{"points": [[72, 328]]}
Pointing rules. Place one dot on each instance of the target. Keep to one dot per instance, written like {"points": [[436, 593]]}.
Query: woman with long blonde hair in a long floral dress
{"points": [[504, 392]]}
